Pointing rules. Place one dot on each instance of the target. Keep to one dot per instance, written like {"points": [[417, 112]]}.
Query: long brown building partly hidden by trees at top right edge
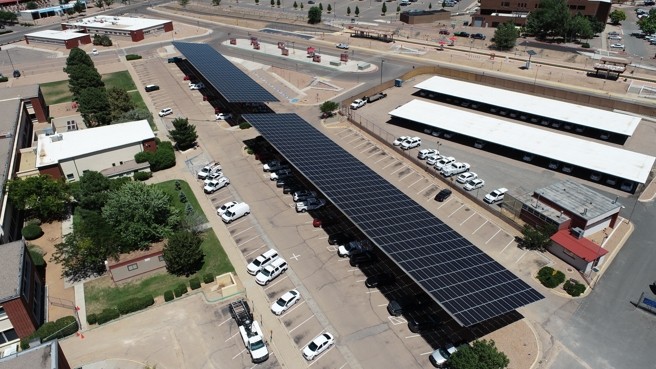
{"points": [[495, 12]]}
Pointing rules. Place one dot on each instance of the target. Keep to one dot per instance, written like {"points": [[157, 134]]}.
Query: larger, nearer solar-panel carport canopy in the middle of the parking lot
{"points": [[468, 284]]}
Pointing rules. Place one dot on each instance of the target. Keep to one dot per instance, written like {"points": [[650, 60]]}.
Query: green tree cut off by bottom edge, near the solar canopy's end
{"points": [[481, 354]]}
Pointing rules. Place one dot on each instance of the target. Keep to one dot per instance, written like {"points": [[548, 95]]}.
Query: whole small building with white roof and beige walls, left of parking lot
{"points": [[107, 149]]}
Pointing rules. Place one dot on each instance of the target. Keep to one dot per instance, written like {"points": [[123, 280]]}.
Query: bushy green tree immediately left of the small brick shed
{"points": [[79, 258]]}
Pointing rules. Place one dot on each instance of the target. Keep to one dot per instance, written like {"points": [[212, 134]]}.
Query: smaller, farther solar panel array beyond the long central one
{"points": [[235, 85]]}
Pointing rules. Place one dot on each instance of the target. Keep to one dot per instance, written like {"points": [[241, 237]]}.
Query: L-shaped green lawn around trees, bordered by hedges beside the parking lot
{"points": [[101, 293]]}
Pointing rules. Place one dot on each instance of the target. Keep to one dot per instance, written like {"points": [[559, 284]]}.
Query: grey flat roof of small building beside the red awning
{"points": [[578, 199]]}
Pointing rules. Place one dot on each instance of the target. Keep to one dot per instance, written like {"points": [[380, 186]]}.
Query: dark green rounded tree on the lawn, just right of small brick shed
{"points": [[183, 254]]}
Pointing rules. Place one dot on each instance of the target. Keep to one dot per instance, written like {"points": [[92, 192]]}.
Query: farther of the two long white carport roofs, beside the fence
{"points": [[577, 114]]}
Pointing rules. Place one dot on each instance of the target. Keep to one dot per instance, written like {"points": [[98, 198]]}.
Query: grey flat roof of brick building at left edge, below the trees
{"points": [[11, 264]]}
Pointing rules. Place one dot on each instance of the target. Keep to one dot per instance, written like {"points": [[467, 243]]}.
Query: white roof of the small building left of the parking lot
{"points": [[61, 146]]}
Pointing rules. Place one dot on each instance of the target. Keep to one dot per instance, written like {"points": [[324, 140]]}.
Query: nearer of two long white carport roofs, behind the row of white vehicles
{"points": [[567, 149]]}
